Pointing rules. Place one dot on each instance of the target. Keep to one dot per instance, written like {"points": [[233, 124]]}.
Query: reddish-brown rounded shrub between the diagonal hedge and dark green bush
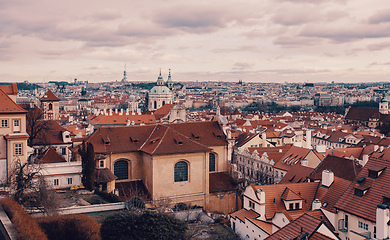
{"points": [[75, 227]]}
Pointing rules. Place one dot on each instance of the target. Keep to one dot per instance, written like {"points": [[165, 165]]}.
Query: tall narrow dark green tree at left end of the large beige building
{"points": [[88, 165]]}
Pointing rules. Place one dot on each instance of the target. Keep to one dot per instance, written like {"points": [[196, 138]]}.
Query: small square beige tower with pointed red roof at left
{"points": [[50, 106]]}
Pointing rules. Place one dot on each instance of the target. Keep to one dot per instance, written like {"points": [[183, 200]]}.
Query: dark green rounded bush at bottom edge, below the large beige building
{"points": [[142, 226]]}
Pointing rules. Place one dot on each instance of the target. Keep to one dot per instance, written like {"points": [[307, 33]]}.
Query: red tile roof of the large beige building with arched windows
{"points": [[159, 138]]}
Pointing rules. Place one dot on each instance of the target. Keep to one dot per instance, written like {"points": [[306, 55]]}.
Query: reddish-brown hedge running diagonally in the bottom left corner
{"points": [[26, 227]]}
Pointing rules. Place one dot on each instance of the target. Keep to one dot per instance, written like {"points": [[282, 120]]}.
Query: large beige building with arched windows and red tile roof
{"points": [[175, 161]]}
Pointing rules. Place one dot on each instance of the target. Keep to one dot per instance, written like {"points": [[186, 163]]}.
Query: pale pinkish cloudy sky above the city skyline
{"points": [[203, 40]]}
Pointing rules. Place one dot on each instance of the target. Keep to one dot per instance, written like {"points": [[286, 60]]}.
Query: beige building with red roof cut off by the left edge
{"points": [[13, 136]]}
